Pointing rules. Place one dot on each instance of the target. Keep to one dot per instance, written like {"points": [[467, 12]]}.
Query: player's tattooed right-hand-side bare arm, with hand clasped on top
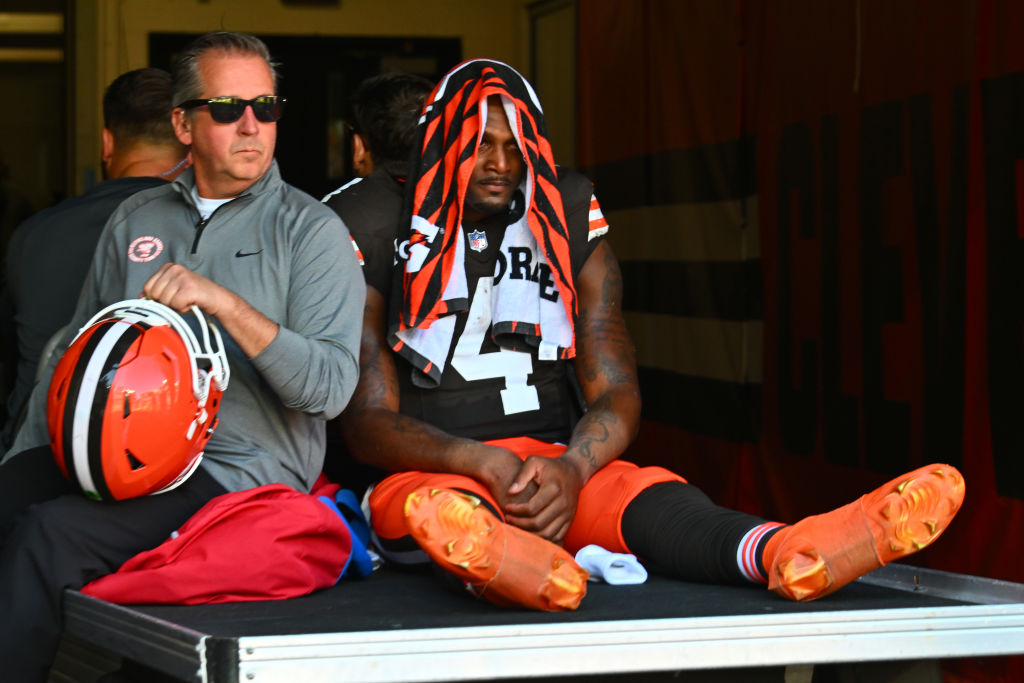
{"points": [[606, 366]]}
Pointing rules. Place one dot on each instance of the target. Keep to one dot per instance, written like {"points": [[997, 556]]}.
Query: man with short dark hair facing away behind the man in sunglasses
{"points": [[50, 254]]}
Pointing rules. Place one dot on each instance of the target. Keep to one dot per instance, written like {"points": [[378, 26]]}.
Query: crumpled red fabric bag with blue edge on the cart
{"points": [[263, 544]]}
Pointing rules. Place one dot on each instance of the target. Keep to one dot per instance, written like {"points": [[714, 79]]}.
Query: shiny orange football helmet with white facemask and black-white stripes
{"points": [[135, 399]]}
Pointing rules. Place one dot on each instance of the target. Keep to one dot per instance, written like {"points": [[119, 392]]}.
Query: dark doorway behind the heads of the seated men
{"points": [[319, 74]]}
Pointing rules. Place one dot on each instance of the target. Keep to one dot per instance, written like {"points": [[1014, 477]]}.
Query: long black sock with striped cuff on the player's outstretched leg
{"points": [[682, 533]]}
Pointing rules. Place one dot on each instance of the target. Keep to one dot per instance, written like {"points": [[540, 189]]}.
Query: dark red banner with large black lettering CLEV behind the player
{"points": [[877, 150]]}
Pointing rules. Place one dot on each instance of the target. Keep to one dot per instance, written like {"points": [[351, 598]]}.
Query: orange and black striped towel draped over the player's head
{"points": [[434, 280]]}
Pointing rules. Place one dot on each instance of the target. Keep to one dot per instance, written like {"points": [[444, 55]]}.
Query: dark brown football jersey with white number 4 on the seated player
{"points": [[486, 392]]}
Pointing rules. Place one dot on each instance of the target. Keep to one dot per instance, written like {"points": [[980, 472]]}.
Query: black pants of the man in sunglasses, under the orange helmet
{"points": [[53, 538]]}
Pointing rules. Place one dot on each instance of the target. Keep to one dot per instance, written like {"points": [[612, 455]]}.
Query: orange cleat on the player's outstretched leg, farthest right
{"points": [[824, 553]]}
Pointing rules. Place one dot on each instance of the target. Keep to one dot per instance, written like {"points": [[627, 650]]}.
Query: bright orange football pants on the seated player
{"points": [[600, 510]]}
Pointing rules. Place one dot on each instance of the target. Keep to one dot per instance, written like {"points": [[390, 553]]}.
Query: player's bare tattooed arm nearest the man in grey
{"points": [[377, 434]]}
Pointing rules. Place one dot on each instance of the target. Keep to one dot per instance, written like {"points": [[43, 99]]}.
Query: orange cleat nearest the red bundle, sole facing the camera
{"points": [[502, 564]]}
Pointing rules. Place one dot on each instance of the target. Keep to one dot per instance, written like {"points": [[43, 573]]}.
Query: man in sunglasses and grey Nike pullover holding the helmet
{"points": [[277, 271]]}
